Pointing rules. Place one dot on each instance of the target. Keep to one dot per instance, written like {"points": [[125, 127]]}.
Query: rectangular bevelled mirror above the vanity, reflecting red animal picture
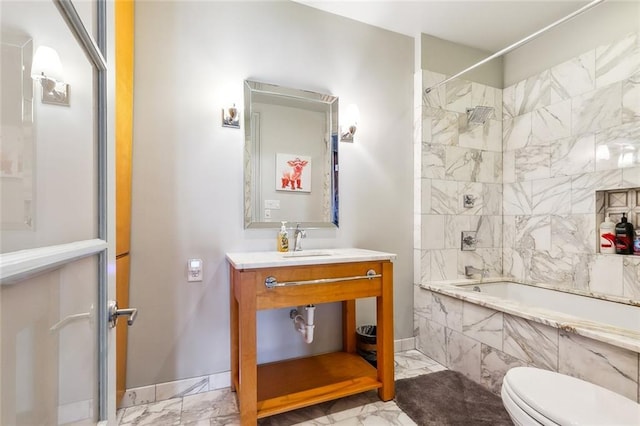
{"points": [[291, 157]]}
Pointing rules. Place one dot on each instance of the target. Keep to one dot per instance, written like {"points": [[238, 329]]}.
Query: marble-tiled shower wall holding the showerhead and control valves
{"points": [[457, 158]]}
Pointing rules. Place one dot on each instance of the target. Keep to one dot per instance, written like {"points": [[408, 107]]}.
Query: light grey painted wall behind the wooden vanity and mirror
{"points": [[191, 61]]}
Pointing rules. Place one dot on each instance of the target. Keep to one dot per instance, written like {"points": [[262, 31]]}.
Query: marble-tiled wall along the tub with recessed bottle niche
{"points": [[568, 132]]}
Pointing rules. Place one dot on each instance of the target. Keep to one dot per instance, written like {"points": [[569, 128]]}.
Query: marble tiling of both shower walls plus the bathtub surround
{"points": [[556, 140]]}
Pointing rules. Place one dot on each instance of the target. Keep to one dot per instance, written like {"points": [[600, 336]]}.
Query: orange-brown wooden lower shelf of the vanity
{"points": [[292, 384]]}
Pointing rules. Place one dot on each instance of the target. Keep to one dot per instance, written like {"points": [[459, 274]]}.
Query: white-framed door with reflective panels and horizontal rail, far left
{"points": [[57, 263]]}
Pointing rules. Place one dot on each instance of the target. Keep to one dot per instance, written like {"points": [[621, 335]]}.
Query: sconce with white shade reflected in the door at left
{"points": [[47, 69]]}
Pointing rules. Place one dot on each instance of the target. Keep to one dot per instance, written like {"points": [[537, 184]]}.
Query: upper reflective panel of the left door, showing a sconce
{"points": [[48, 152]]}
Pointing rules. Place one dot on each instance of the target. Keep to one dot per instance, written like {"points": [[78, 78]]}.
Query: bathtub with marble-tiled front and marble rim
{"points": [[482, 329]]}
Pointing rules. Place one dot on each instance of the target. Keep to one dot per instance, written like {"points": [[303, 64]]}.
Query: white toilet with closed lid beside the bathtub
{"points": [[533, 396]]}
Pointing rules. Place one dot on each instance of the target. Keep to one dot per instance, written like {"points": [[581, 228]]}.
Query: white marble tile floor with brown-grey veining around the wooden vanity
{"points": [[219, 408]]}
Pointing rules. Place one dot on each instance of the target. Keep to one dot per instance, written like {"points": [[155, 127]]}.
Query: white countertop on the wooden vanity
{"points": [[269, 259]]}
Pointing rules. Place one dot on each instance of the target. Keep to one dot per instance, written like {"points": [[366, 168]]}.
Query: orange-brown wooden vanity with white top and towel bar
{"points": [[272, 280]]}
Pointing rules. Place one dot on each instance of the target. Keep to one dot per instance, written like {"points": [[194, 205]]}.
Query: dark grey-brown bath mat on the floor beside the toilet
{"points": [[449, 398]]}
